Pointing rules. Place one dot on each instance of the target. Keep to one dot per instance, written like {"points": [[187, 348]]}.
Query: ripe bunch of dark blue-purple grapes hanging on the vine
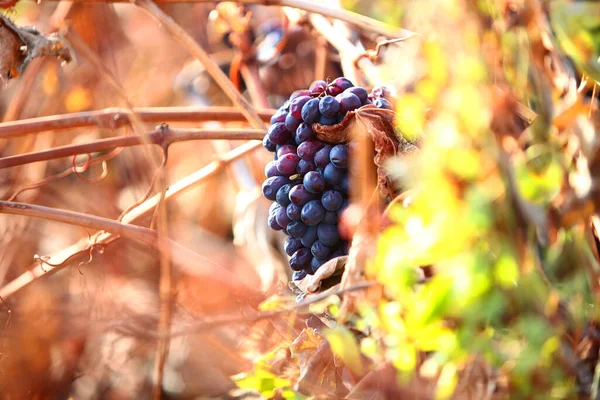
{"points": [[308, 178]]}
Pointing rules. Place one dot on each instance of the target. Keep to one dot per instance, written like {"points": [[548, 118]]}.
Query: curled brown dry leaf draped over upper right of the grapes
{"points": [[378, 124]]}
